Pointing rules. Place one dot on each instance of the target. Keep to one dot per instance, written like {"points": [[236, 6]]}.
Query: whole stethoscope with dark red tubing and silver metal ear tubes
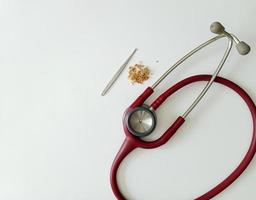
{"points": [[139, 120]]}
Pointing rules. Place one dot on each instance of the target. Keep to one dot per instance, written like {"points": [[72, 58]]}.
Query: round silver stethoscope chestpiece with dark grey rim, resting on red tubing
{"points": [[141, 121]]}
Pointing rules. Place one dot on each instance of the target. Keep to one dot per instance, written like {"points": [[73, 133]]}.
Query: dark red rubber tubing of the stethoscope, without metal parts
{"points": [[131, 142]]}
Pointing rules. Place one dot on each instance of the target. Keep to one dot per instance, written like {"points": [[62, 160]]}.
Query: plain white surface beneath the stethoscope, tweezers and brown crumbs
{"points": [[58, 136]]}
